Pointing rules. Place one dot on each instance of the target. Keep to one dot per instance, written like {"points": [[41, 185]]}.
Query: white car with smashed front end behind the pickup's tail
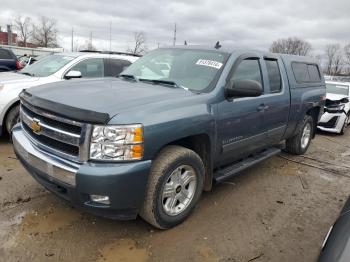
{"points": [[336, 115]]}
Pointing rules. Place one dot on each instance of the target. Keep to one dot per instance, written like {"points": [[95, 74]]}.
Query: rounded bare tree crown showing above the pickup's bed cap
{"points": [[292, 46]]}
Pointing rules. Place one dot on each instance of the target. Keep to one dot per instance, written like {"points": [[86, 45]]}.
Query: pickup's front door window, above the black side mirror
{"points": [[248, 69]]}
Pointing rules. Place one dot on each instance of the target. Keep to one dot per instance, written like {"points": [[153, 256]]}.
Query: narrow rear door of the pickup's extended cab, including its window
{"points": [[277, 99]]}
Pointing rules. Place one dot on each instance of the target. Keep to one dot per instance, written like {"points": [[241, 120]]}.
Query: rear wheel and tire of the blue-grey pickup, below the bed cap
{"points": [[296, 145]]}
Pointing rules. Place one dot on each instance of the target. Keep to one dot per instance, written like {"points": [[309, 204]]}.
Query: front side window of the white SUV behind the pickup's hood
{"points": [[90, 68]]}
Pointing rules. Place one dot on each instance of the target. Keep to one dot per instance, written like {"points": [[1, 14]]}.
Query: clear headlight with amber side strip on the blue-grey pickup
{"points": [[117, 143]]}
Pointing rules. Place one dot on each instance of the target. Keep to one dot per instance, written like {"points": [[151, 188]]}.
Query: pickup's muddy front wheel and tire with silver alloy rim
{"points": [[171, 162]]}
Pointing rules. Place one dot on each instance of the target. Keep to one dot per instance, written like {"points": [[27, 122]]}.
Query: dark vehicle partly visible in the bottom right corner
{"points": [[336, 246]]}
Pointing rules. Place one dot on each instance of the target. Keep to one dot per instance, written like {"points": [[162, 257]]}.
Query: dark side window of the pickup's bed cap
{"points": [[306, 73]]}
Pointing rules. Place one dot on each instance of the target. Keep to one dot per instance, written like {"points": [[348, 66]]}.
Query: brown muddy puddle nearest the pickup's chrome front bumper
{"points": [[48, 221]]}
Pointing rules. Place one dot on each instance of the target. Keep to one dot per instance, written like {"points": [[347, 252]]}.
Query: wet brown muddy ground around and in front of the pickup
{"points": [[279, 210]]}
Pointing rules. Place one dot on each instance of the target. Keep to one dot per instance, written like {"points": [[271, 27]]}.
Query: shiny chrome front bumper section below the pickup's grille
{"points": [[35, 159]]}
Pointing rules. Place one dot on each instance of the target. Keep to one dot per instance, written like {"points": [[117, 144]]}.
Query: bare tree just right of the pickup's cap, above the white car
{"points": [[334, 59]]}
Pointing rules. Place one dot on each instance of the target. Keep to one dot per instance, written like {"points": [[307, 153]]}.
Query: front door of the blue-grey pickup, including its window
{"points": [[241, 120]]}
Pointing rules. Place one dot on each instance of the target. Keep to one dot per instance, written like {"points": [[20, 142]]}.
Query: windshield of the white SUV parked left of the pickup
{"points": [[47, 65]]}
